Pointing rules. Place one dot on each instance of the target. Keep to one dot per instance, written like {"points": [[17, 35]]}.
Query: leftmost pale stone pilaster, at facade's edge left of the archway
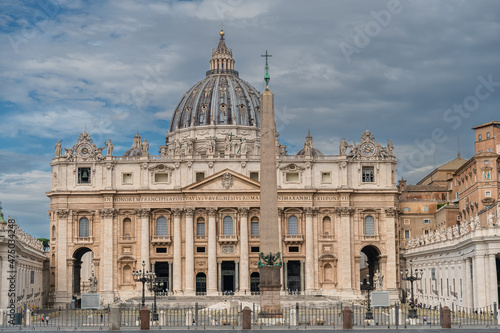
{"points": [[62, 294]]}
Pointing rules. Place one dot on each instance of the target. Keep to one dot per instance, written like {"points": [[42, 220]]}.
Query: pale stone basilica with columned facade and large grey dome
{"points": [[192, 212]]}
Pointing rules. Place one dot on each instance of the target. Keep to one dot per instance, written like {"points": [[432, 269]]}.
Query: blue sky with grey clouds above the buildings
{"points": [[421, 73]]}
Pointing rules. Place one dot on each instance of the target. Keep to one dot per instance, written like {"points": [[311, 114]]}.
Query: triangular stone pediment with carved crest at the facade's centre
{"points": [[225, 180]]}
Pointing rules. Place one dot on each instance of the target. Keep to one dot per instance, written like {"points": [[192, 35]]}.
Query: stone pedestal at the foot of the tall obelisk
{"points": [[270, 302]]}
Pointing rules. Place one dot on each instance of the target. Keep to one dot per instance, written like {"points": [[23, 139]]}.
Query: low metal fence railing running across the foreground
{"points": [[394, 316]]}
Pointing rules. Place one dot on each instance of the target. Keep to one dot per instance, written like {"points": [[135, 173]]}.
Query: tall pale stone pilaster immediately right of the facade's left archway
{"points": [[107, 216]]}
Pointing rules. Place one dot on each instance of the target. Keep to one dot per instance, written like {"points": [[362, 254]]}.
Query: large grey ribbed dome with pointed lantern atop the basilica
{"points": [[221, 98]]}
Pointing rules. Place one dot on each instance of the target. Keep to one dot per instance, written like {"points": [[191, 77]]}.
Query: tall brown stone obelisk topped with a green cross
{"points": [[269, 257]]}
